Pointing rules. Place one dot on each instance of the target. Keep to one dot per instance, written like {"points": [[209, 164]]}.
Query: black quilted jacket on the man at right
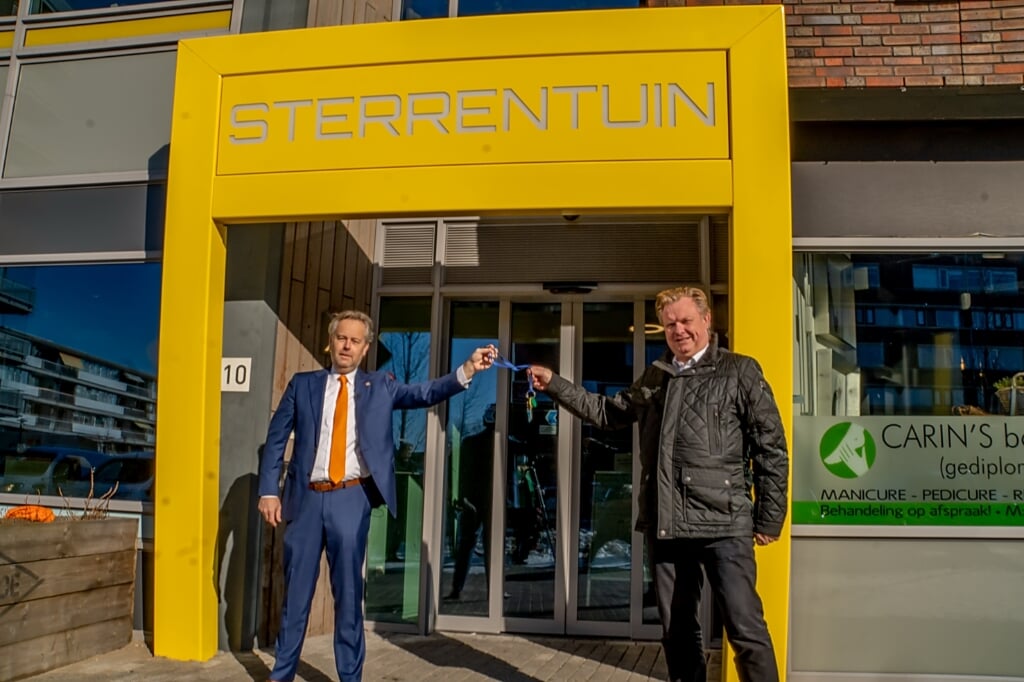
{"points": [[722, 437]]}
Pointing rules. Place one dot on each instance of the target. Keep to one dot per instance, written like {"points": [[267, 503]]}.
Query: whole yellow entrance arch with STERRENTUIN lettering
{"points": [[672, 110]]}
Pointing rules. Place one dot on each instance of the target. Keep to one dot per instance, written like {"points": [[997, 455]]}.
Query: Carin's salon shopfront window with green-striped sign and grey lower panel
{"points": [[909, 462]]}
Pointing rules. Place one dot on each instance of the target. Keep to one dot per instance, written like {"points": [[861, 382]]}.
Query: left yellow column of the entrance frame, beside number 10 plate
{"points": [[189, 389]]}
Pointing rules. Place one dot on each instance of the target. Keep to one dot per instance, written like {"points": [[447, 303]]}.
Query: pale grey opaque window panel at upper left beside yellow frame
{"points": [[90, 116]]}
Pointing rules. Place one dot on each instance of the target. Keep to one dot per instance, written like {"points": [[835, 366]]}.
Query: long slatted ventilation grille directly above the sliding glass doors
{"points": [[604, 250]]}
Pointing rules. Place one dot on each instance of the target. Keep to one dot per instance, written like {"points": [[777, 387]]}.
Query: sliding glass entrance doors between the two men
{"points": [[538, 515]]}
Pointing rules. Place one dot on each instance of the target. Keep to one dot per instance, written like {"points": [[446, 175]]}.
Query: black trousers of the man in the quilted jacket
{"points": [[732, 575]]}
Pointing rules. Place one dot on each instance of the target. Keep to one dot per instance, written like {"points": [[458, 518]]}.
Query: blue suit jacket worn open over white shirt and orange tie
{"points": [[377, 396]]}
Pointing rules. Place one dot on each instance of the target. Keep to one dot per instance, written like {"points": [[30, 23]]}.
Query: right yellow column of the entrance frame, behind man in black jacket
{"points": [[761, 268]]}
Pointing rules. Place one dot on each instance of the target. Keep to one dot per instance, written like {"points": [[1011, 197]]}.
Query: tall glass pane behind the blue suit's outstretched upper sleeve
{"points": [[394, 550]]}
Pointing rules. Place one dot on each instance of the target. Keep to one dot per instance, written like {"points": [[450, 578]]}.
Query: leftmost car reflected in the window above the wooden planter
{"points": [[46, 471]]}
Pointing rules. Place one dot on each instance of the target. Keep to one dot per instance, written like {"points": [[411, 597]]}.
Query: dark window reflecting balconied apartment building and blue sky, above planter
{"points": [[78, 385]]}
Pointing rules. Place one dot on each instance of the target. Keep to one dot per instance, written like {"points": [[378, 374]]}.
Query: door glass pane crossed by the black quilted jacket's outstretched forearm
{"points": [[607, 471]]}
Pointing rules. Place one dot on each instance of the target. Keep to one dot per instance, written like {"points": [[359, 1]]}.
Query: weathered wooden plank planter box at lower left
{"points": [[66, 592]]}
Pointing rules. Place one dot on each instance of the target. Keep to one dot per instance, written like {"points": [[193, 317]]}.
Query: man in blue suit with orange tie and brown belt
{"points": [[343, 465]]}
